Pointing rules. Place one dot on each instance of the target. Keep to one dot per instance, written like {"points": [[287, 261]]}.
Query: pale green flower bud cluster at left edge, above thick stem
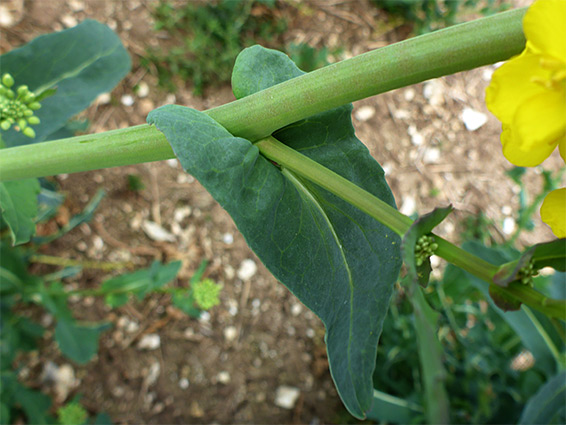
{"points": [[16, 107]]}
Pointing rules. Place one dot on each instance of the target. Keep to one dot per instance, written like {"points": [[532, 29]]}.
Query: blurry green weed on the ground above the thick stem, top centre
{"points": [[221, 29]]}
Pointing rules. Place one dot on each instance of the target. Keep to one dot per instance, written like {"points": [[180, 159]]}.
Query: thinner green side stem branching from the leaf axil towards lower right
{"points": [[399, 223]]}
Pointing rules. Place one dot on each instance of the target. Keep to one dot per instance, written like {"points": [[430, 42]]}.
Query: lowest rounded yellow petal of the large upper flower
{"points": [[536, 129]]}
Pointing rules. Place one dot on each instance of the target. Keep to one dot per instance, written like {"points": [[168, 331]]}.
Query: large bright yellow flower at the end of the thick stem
{"points": [[528, 93]]}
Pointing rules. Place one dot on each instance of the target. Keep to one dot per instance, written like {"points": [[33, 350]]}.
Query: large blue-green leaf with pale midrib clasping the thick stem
{"points": [[338, 261]]}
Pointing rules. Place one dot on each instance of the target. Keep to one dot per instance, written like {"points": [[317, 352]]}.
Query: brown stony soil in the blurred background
{"points": [[227, 366]]}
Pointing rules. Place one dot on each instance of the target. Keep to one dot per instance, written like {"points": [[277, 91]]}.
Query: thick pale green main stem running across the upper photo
{"points": [[254, 117]]}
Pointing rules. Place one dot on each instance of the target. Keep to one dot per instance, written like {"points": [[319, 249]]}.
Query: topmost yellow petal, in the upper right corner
{"points": [[544, 25]]}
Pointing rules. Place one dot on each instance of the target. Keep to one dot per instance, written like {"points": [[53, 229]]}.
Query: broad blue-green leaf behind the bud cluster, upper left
{"points": [[81, 62]]}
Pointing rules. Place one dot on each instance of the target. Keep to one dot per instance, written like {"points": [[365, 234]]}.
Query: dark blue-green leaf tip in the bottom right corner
{"points": [[547, 405]]}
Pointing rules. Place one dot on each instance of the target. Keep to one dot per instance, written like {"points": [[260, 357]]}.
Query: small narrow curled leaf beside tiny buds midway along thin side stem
{"points": [[421, 226]]}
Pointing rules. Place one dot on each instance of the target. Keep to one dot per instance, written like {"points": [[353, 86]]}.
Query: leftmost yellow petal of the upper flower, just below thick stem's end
{"points": [[511, 85]]}
